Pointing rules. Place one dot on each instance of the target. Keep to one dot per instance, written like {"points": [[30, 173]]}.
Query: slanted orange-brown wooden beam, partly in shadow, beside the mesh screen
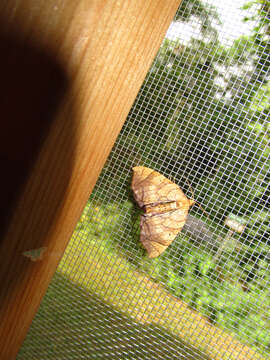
{"points": [[72, 70]]}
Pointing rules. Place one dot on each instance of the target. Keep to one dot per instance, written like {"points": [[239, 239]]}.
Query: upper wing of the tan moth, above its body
{"points": [[150, 187]]}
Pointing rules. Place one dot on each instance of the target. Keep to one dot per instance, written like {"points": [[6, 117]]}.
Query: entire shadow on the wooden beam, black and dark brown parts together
{"points": [[33, 87]]}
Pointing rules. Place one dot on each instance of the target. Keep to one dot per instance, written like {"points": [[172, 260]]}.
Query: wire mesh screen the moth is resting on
{"points": [[201, 120]]}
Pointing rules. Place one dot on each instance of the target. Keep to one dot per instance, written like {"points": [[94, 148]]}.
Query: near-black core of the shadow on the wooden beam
{"points": [[32, 87]]}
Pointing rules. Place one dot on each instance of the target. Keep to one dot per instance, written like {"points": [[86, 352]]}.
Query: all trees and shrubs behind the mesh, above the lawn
{"points": [[202, 114]]}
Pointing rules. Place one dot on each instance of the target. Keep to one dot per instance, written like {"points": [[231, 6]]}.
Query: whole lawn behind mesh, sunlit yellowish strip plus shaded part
{"points": [[99, 305]]}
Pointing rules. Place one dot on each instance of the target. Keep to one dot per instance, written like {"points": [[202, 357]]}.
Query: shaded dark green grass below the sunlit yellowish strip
{"points": [[74, 324]]}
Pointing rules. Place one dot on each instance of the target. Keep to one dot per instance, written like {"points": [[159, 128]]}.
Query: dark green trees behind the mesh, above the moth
{"points": [[198, 115]]}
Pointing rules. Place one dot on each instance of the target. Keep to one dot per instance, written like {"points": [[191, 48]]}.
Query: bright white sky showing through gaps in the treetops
{"points": [[232, 26]]}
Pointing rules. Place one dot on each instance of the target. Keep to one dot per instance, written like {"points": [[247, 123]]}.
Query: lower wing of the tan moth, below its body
{"points": [[159, 231]]}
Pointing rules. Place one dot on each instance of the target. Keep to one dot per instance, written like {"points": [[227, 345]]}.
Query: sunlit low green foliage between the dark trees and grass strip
{"points": [[222, 289]]}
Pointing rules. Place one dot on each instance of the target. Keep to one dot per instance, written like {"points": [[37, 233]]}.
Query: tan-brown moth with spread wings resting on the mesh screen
{"points": [[165, 209]]}
